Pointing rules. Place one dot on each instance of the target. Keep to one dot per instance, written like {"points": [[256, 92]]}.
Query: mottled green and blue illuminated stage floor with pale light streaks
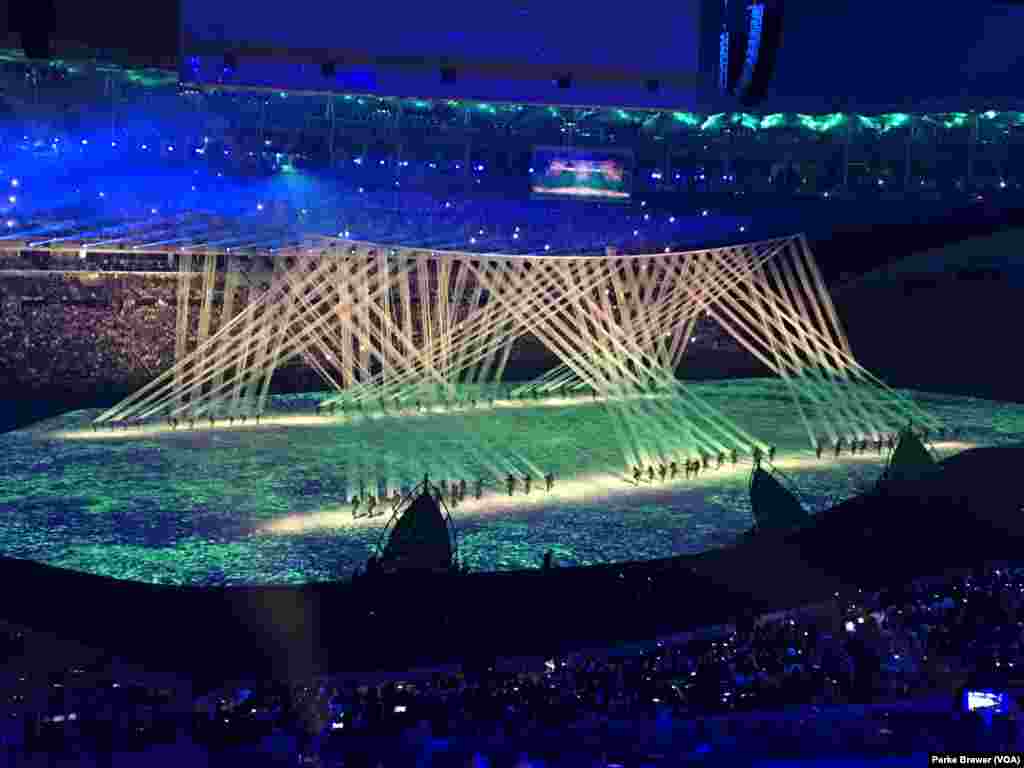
{"points": [[261, 504]]}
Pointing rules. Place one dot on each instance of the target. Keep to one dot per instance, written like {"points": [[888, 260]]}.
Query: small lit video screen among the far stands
{"points": [[576, 173]]}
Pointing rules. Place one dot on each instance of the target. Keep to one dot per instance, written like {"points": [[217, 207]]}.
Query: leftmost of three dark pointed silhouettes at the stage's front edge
{"points": [[422, 537]]}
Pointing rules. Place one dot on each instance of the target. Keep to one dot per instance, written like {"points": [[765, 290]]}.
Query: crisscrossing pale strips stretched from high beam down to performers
{"points": [[393, 328]]}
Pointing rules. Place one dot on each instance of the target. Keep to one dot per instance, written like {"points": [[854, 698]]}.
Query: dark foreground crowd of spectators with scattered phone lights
{"points": [[837, 674]]}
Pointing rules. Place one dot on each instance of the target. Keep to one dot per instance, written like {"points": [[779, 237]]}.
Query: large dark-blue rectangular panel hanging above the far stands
{"points": [[570, 53]]}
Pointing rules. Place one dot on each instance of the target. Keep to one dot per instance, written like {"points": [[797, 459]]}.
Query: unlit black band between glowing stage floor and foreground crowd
{"points": [[968, 513]]}
